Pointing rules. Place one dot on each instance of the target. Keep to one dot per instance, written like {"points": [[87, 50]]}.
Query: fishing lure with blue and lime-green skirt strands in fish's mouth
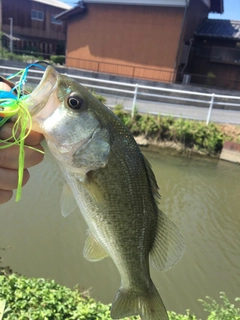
{"points": [[12, 105]]}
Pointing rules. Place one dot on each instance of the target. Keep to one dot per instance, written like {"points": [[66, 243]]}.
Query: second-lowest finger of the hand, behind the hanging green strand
{"points": [[9, 179]]}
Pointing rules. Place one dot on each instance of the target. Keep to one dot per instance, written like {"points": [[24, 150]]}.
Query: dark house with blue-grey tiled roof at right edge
{"points": [[215, 54]]}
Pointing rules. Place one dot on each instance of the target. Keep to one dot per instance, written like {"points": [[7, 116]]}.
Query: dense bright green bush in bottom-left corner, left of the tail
{"points": [[41, 299]]}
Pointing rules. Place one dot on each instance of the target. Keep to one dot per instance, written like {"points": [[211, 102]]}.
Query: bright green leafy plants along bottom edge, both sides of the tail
{"points": [[22, 298]]}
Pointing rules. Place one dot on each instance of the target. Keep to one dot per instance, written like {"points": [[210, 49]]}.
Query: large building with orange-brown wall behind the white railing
{"points": [[148, 39]]}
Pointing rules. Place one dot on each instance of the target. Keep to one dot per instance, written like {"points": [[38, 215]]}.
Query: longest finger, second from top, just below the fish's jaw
{"points": [[9, 157]]}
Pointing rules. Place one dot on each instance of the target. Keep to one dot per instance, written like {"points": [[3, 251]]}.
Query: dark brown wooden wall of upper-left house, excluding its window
{"points": [[44, 34]]}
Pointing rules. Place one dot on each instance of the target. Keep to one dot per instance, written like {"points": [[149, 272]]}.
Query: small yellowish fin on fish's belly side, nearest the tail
{"points": [[93, 251]]}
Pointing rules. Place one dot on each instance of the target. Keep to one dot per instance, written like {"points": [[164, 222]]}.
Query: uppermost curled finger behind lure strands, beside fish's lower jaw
{"points": [[32, 139]]}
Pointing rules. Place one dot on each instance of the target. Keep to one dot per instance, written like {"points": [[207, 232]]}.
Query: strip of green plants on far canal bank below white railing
{"points": [[192, 134]]}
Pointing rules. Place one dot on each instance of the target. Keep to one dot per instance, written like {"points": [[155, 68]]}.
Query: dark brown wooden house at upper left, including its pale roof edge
{"points": [[30, 26]]}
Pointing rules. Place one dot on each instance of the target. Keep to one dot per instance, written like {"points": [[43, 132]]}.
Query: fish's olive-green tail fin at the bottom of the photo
{"points": [[149, 305]]}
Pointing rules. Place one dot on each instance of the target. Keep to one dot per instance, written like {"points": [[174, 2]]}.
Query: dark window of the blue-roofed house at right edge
{"points": [[225, 55]]}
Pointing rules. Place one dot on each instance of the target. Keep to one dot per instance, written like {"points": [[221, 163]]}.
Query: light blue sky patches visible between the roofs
{"points": [[231, 9]]}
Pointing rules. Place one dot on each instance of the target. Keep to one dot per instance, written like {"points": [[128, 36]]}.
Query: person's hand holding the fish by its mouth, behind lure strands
{"points": [[9, 158]]}
